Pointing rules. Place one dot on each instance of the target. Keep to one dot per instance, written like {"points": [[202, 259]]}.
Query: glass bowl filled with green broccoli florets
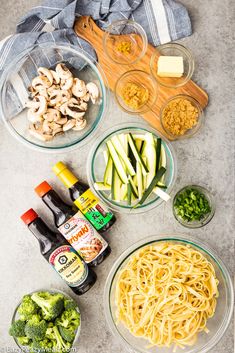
{"points": [[46, 321]]}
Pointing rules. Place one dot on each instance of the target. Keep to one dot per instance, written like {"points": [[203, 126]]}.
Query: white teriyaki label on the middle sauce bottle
{"points": [[83, 237]]}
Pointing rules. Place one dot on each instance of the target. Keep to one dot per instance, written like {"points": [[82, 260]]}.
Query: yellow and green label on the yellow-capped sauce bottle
{"points": [[93, 209]]}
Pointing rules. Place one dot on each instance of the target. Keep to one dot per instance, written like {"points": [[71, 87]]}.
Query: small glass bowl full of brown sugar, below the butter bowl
{"points": [[181, 116]]}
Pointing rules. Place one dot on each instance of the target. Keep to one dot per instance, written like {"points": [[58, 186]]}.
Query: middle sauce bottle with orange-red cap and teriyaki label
{"points": [[74, 227]]}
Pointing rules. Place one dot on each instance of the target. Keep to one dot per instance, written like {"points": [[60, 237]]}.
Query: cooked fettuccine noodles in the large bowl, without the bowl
{"points": [[165, 293]]}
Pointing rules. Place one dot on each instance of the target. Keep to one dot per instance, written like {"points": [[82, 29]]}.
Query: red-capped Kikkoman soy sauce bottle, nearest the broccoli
{"points": [[60, 254]]}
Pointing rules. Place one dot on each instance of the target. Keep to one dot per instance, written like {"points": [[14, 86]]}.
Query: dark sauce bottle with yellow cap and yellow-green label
{"points": [[95, 211]]}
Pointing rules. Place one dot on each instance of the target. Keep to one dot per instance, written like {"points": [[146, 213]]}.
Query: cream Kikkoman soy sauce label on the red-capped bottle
{"points": [[68, 265]]}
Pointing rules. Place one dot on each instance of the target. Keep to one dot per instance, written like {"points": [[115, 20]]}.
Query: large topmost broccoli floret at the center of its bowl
{"points": [[52, 305]]}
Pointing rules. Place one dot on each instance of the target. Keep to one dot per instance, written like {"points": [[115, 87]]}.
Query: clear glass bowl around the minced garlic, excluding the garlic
{"points": [[141, 79]]}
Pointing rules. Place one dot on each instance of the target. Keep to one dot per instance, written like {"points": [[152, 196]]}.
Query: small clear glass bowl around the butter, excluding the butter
{"points": [[173, 49]]}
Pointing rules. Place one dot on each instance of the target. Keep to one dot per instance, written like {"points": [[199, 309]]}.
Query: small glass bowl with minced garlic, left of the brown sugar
{"points": [[136, 91]]}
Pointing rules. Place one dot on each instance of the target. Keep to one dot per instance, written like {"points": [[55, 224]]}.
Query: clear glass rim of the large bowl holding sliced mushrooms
{"points": [[104, 92]]}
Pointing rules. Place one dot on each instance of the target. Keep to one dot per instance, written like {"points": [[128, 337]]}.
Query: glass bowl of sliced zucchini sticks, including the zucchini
{"points": [[132, 168]]}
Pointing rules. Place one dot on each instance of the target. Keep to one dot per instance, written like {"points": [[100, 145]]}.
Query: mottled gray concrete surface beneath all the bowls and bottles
{"points": [[206, 159]]}
